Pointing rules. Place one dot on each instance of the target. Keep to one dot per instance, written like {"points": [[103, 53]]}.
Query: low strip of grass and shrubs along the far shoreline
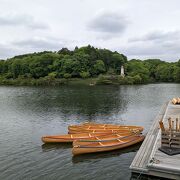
{"points": [[49, 81]]}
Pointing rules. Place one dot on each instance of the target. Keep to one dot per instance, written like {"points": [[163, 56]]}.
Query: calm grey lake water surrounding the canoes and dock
{"points": [[27, 113]]}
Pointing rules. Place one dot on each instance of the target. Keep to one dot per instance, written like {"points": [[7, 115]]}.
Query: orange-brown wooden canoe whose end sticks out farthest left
{"points": [[70, 137]]}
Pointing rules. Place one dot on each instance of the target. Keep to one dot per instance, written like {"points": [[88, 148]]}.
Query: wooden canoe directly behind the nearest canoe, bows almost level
{"points": [[103, 138]]}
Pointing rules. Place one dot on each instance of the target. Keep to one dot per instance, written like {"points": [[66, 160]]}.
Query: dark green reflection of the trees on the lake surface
{"points": [[82, 100]]}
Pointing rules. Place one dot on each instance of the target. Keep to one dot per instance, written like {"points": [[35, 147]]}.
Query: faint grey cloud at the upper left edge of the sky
{"points": [[23, 20]]}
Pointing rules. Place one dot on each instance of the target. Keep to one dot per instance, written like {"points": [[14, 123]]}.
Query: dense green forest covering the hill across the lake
{"points": [[86, 62]]}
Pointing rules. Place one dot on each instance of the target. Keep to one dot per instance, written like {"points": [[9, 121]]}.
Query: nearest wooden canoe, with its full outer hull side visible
{"points": [[106, 146]]}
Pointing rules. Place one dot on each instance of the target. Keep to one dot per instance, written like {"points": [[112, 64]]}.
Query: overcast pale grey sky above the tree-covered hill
{"points": [[139, 29]]}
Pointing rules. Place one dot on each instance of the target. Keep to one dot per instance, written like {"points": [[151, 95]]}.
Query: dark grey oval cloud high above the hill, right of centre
{"points": [[108, 22]]}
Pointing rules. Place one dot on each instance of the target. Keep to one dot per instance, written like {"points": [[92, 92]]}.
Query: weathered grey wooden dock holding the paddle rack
{"points": [[149, 160]]}
